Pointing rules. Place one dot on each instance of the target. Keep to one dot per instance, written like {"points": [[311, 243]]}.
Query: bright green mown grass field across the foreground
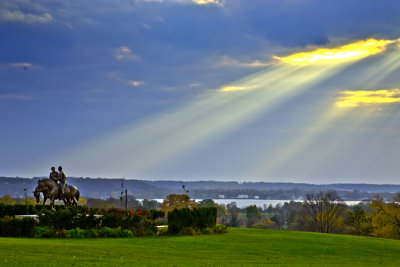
{"points": [[239, 247]]}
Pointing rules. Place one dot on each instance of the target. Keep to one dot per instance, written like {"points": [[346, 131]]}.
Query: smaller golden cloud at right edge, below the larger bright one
{"points": [[358, 98]]}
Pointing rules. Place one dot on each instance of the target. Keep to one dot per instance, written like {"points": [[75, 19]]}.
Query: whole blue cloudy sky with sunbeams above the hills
{"points": [[229, 90]]}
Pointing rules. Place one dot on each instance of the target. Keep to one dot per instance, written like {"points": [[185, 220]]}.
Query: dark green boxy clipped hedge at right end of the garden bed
{"points": [[195, 218]]}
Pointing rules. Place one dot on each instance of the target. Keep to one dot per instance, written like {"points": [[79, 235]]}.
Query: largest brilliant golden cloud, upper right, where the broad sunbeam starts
{"points": [[350, 51]]}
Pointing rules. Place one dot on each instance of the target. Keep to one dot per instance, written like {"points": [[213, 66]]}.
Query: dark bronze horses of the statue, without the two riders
{"points": [[51, 190]]}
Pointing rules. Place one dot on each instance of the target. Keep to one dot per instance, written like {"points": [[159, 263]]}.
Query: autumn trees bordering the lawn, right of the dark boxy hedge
{"points": [[323, 212]]}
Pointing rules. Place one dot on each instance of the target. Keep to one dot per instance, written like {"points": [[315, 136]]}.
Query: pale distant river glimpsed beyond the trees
{"points": [[242, 203]]}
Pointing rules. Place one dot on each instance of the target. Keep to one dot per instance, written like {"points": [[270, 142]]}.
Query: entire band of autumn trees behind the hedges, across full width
{"points": [[322, 212]]}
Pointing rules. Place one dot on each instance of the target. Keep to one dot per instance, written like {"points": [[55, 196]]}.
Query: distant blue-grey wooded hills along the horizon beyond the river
{"points": [[106, 188]]}
